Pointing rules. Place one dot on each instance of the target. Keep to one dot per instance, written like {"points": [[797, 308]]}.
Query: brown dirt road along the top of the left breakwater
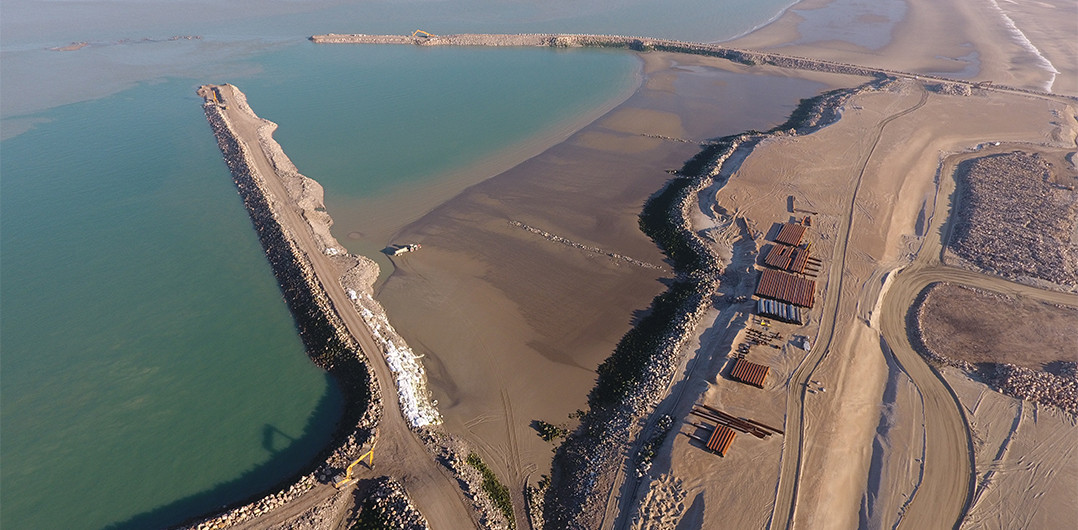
{"points": [[402, 454]]}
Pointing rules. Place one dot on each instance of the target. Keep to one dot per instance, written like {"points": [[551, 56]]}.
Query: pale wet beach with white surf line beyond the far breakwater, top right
{"points": [[1019, 45]]}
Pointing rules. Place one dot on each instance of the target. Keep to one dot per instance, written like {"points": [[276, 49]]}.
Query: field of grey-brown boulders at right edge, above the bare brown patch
{"points": [[1014, 222]]}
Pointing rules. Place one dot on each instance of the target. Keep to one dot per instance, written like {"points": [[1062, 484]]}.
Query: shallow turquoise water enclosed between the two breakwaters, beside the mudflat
{"points": [[366, 121]]}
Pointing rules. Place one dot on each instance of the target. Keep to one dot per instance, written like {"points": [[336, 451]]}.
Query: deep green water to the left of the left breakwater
{"points": [[148, 356]]}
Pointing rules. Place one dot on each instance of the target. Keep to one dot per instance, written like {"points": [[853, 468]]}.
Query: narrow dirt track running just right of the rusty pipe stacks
{"points": [[786, 494]]}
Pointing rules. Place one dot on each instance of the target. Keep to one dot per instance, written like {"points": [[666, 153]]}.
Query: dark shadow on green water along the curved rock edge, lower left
{"points": [[292, 458]]}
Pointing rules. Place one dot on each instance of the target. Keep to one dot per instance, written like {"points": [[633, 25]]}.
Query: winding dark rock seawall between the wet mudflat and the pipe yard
{"points": [[638, 375]]}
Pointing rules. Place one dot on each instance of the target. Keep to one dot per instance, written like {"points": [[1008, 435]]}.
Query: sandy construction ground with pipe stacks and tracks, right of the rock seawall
{"points": [[817, 338]]}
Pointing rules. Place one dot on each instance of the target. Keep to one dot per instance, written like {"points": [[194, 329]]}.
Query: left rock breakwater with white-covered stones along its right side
{"points": [[328, 340]]}
